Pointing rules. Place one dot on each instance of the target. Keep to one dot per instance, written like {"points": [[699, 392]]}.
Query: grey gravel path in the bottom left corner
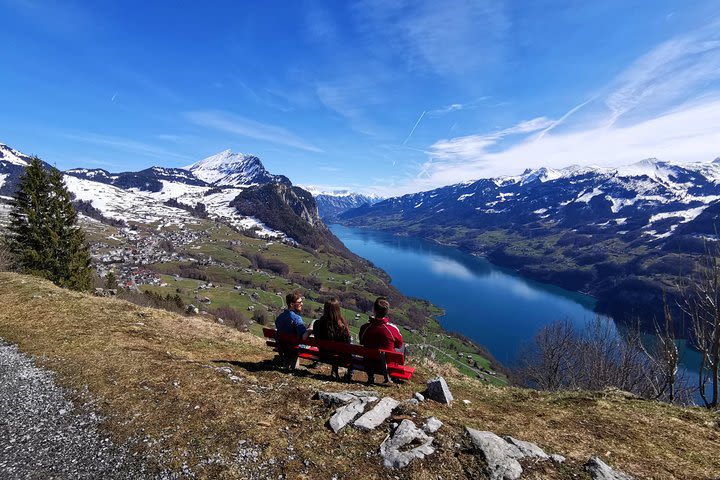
{"points": [[42, 434]]}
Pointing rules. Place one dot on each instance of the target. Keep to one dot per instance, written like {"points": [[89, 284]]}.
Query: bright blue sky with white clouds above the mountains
{"points": [[372, 95]]}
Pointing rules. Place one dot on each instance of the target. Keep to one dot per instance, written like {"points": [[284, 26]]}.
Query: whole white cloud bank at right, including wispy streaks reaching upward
{"points": [[666, 104]]}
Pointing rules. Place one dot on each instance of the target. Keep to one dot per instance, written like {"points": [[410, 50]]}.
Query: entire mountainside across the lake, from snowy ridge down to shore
{"points": [[624, 234]]}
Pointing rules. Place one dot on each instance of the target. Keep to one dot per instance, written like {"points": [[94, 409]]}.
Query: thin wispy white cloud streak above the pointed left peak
{"points": [[245, 127]]}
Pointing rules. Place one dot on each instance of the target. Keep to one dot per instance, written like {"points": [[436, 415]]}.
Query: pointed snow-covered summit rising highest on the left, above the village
{"points": [[234, 169]]}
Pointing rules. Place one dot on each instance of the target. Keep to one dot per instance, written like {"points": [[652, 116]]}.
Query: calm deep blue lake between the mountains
{"points": [[492, 306]]}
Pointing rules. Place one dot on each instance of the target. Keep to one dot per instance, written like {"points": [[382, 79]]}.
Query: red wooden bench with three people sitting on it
{"points": [[390, 364]]}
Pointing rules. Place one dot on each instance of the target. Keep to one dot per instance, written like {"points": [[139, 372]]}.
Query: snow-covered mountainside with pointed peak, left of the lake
{"points": [[164, 196]]}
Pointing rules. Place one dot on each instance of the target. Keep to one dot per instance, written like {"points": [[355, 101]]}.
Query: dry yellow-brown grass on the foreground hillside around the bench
{"points": [[154, 376]]}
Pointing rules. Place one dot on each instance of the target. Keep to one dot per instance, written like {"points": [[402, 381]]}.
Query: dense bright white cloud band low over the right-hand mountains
{"points": [[685, 135]]}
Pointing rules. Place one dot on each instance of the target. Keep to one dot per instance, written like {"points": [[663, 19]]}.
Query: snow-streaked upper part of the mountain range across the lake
{"points": [[650, 196]]}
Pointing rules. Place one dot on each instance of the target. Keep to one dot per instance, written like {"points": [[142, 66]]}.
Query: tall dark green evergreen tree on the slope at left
{"points": [[44, 235]]}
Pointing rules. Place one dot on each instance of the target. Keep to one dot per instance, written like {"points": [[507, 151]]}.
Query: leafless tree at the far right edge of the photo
{"points": [[701, 303]]}
